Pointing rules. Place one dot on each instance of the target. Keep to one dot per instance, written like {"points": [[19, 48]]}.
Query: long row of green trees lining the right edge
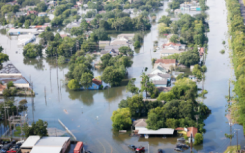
{"points": [[236, 31]]}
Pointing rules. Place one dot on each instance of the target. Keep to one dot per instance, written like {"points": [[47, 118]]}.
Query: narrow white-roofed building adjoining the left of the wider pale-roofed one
{"points": [[30, 142]]}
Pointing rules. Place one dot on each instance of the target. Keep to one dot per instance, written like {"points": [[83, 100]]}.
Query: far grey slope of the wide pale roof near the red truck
{"points": [[52, 141]]}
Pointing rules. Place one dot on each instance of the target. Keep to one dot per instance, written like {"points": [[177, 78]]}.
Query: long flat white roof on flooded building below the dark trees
{"points": [[161, 131]]}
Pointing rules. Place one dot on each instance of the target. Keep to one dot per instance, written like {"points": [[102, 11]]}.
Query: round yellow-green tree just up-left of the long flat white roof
{"points": [[121, 119]]}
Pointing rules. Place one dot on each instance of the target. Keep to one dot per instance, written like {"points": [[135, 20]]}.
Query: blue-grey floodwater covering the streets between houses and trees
{"points": [[87, 113]]}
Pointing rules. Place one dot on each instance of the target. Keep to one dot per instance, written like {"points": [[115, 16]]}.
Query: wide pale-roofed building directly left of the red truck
{"points": [[51, 144]]}
